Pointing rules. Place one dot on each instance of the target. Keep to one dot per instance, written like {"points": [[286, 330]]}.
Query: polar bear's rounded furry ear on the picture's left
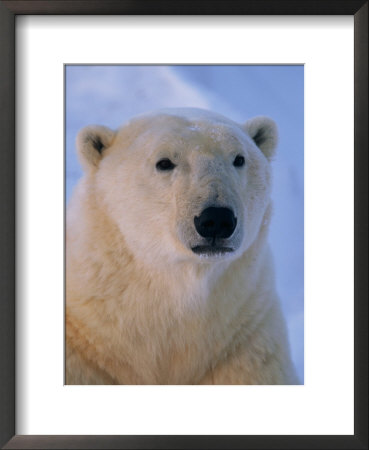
{"points": [[91, 142]]}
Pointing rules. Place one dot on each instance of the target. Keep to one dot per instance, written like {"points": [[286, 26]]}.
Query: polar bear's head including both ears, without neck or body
{"points": [[182, 184]]}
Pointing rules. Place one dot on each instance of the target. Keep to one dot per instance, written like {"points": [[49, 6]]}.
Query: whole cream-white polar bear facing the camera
{"points": [[169, 276]]}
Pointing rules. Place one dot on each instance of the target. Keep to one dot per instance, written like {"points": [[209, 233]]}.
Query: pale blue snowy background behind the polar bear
{"points": [[110, 95]]}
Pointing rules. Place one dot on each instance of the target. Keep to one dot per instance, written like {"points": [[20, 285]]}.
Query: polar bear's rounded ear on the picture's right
{"points": [[263, 131]]}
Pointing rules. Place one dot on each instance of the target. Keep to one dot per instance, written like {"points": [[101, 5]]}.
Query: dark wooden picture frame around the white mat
{"points": [[8, 12]]}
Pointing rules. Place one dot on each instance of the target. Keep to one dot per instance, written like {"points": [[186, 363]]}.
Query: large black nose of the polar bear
{"points": [[216, 223]]}
